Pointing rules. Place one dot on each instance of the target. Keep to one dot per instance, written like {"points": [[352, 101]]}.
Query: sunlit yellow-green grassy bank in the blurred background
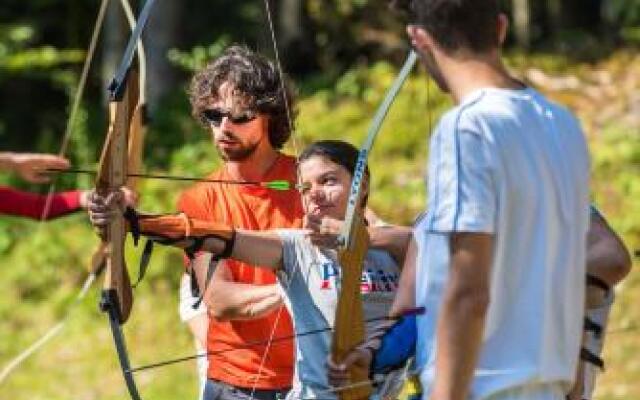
{"points": [[43, 263]]}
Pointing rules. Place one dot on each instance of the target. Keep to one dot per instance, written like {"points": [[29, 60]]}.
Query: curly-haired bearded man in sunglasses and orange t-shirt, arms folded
{"points": [[241, 98]]}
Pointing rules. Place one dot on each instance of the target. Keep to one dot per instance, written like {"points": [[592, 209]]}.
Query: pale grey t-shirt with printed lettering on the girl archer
{"points": [[310, 281]]}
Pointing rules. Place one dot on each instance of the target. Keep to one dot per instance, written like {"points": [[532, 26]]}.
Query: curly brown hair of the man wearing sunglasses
{"points": [[256, 80]]}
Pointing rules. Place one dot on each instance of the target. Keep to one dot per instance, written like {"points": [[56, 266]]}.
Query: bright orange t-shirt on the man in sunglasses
{"points": [[256, 208]]}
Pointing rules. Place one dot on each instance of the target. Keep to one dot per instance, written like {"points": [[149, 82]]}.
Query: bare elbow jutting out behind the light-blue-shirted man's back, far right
{"points": [[607, 257]]}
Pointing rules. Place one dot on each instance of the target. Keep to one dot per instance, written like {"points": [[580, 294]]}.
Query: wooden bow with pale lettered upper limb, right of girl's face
{"points": [[349, 329]]}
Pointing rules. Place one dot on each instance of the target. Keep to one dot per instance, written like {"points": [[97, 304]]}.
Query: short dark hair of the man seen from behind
{"points": [[456, 24]]}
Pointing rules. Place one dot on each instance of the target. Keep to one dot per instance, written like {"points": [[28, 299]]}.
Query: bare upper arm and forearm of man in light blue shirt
{"points": [[465, 304]]}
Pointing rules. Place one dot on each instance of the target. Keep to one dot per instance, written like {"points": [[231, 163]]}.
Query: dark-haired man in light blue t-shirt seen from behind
{"points": [[504, 236]]}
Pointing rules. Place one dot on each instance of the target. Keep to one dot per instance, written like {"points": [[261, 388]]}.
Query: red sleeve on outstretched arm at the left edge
{"points": [[31, 205]]}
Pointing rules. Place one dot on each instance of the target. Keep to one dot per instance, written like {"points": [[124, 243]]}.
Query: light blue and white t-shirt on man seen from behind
{"points": [[512, 164]]}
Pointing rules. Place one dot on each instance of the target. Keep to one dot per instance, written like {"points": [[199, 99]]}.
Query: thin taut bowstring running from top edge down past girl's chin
{"points": [[296, 149]]}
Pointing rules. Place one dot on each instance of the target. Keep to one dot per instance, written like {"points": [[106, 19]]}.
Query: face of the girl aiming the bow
{"points": [[325, 187]]}
